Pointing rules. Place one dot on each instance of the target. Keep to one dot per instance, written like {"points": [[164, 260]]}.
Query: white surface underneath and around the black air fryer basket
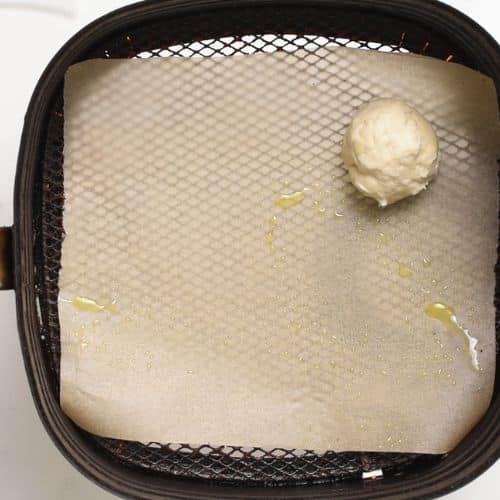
{"points": [[31, 468]]}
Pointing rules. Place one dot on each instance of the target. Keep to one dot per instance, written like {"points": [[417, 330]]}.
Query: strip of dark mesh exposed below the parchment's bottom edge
{"points": [[255, 465]]}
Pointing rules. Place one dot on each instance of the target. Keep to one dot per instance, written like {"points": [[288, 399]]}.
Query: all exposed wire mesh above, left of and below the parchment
{"points": [[236, 464]]}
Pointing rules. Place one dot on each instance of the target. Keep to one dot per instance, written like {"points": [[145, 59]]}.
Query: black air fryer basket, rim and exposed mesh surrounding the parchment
{"points": [[201, 29]]}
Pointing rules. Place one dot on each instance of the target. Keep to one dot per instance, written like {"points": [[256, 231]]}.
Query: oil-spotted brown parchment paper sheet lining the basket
{"points": [[221, 326]]}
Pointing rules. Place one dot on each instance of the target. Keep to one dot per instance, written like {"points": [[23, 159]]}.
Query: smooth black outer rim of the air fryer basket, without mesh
{"points": [[477, 452]]}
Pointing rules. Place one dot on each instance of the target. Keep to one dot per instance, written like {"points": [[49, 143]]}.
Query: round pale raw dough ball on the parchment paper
{"points": [[390, 150]]}
